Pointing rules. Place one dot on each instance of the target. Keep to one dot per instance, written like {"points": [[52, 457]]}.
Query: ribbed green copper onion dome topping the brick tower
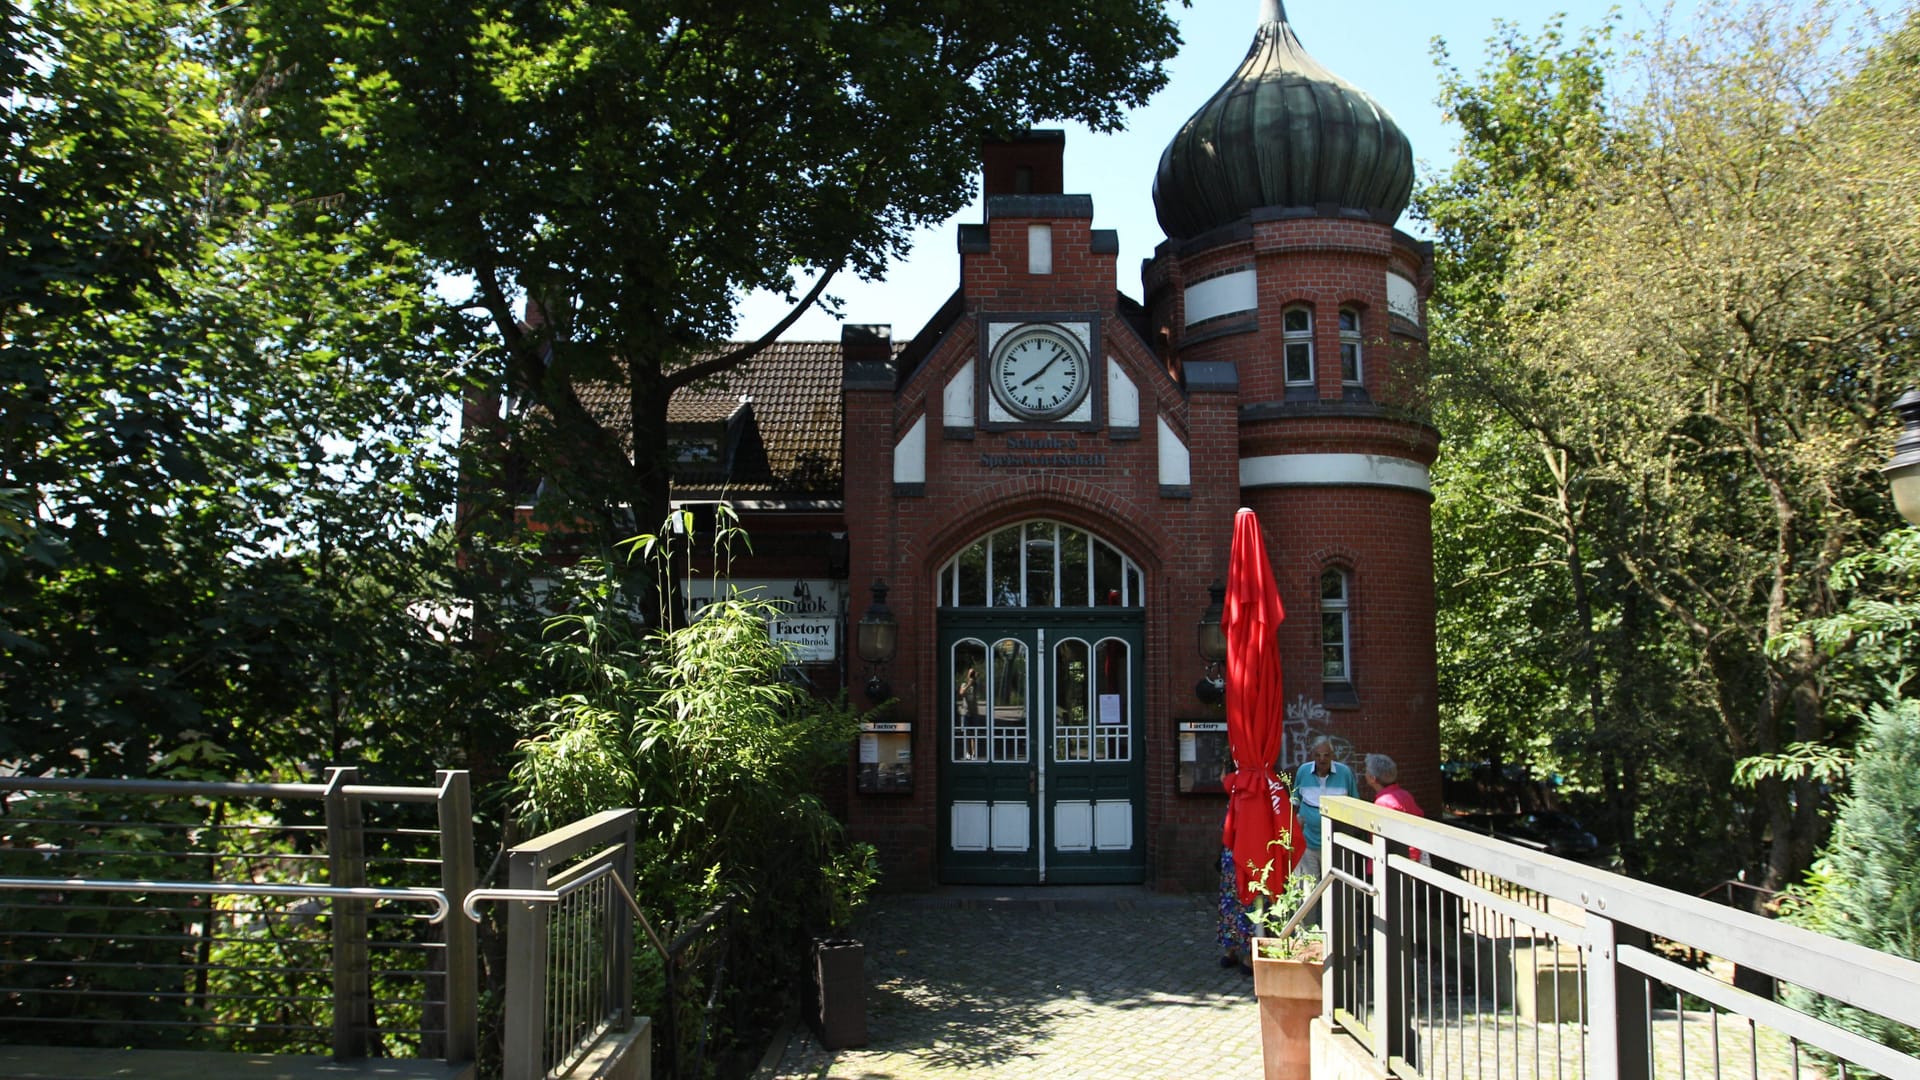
{"points": [[1282, 134]]}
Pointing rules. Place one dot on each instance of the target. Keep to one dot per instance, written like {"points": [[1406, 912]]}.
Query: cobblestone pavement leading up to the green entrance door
{"points": [[1063, 983]]}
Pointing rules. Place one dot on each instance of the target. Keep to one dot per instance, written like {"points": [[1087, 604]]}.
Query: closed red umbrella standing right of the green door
{"points": [[1259, 806]]}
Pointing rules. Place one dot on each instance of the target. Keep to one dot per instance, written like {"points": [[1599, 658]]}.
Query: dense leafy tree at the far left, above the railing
{"points": [[220, 414]]}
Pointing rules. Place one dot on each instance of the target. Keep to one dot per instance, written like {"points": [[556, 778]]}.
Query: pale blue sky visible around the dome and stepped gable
{"points": [[1381, 47]]}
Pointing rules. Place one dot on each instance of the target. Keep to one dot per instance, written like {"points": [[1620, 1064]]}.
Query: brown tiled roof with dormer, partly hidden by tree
{"points": [[784, 443]]}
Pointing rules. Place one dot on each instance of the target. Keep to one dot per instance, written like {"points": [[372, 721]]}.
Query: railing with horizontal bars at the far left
{"points": [[245, 918]]}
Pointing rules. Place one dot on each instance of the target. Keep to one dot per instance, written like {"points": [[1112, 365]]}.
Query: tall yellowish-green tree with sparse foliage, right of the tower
{"points": [[1704, 326]]}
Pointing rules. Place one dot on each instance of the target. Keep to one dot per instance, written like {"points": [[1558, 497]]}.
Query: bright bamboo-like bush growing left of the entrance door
{"points": [[702, 731]]}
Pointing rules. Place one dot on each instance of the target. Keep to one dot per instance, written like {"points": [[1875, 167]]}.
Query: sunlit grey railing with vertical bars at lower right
{"points": [[1495, 962]]}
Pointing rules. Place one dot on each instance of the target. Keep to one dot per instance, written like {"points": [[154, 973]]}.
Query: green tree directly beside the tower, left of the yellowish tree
{"points": [[1539, 629]]}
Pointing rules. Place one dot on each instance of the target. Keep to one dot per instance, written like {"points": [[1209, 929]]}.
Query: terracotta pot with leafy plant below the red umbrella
{"points": [[1287, 975]]}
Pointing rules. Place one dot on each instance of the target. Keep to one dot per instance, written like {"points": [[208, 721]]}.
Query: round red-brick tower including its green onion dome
{"points": [[1293, 314]]}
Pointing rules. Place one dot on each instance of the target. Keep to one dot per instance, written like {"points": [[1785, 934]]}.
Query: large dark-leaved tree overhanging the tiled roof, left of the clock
{"points": [[635, 170]]}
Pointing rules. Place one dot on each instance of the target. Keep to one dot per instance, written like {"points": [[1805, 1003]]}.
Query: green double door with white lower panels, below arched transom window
{"points": [[1044, 756]]}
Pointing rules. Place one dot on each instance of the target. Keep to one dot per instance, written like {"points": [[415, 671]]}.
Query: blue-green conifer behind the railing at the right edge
{"points": [[1865, 887]]}
